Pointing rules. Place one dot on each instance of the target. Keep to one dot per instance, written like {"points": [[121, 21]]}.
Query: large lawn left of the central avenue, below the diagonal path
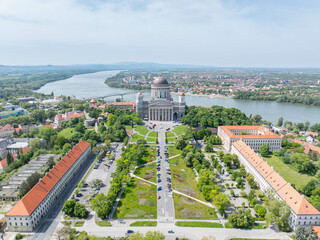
{"points": [[138, 201]]}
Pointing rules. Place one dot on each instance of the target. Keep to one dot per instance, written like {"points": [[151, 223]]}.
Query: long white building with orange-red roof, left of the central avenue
{"points": [[27, 213]]}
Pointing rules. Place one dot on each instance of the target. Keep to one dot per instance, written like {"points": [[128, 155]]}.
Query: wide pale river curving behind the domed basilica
{"points": [[92, 85]]}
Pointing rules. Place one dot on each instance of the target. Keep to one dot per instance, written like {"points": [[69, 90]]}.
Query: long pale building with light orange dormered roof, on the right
{"points": [[302, 212]]}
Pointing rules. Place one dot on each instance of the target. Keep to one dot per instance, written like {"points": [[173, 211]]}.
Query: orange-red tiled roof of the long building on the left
{"points": [[35, 196]]}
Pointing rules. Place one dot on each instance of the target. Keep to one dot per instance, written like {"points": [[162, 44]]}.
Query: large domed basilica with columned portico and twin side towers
{"points": [[160, 106]]}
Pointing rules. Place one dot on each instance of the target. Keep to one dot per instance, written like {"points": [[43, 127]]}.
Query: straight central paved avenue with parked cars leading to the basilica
{"points": [[165, 206]]}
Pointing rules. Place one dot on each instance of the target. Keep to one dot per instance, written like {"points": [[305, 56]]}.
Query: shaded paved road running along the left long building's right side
{"points": [[49, 223]]}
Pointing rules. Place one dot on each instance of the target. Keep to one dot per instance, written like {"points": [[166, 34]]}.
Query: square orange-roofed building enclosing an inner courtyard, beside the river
{"points": [[253, 136]]}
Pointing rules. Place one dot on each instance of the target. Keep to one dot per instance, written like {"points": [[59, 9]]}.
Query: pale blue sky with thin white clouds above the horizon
{"points": [[222, 33]]}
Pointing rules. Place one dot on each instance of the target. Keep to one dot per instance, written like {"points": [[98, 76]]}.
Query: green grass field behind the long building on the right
{"points": [[288, 173]]}
